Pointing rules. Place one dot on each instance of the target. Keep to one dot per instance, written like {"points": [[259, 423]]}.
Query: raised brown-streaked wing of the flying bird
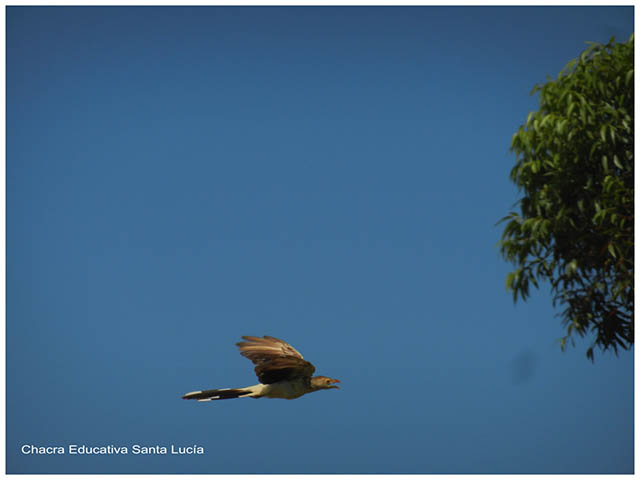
{"points": [[275, 359]]}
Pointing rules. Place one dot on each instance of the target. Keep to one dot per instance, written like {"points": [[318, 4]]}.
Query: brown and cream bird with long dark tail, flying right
{"points": [[282, 371]]}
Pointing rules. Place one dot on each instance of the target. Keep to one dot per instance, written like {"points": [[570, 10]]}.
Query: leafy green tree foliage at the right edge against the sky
{"points": [[574, 166]]}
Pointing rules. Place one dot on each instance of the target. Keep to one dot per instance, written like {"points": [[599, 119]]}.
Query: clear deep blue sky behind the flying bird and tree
{"points": [[179, 177]]}
